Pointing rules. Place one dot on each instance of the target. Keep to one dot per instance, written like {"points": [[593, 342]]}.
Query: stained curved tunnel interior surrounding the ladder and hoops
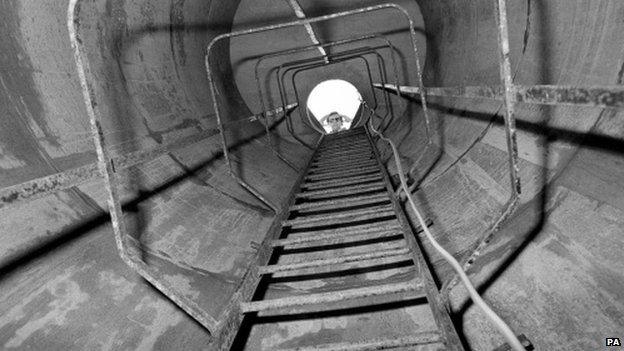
{"points": [[553, 269]]}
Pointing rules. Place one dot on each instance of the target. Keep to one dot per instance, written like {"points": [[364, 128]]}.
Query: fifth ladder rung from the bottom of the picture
{"points": [[343, 217]]}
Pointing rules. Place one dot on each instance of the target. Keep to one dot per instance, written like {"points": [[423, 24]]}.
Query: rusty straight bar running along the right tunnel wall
{"points": [[598, 96]]}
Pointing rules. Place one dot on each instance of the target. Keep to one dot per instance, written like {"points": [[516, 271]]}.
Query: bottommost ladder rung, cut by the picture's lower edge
{"points": [[377, 344]]}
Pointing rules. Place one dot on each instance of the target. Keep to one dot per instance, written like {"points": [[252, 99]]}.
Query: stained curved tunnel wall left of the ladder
{"points": [[63, 284]]}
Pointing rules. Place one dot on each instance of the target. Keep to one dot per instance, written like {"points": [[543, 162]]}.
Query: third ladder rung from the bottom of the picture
{"points": [[332, 264]]}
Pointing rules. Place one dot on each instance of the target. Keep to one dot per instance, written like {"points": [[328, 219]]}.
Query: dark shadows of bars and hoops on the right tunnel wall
{"points": [[536, 210]]}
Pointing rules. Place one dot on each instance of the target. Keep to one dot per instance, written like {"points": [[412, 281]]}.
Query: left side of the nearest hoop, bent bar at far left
{"points": [[129, 254]]}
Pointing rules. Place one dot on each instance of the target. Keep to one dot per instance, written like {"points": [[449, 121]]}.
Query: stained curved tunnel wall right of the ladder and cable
{"points": [[546, 266]]}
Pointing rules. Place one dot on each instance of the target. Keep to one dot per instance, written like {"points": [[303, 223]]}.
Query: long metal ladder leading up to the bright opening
{"points": [[345, 199]]}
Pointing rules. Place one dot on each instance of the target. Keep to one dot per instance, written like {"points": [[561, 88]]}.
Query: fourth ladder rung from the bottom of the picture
{"points": [[333, 239]]}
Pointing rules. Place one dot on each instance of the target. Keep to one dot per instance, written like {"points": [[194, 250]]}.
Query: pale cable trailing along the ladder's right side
{"points": [[474, 295]]}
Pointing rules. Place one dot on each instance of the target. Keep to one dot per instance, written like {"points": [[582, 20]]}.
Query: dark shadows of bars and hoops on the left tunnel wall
{"points": [[121, 108]]}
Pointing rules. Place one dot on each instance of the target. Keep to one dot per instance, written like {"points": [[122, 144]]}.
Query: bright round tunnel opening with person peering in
{"points": [[334, 103]]}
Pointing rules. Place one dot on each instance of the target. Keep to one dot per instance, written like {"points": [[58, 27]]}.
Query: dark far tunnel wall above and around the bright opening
{"points": [[389, 23]]}
